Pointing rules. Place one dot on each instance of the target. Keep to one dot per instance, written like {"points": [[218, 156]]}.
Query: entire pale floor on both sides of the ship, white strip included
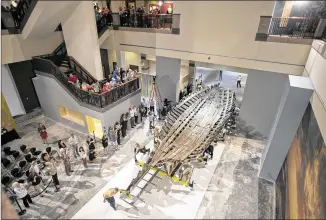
{"points": [[228, 187]]}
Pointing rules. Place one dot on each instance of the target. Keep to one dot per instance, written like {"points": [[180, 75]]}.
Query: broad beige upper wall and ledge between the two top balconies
{"points": [[220, 32]]}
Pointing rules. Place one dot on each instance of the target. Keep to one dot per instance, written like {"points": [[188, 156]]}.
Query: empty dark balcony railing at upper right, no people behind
{"points": [[293, 27]]}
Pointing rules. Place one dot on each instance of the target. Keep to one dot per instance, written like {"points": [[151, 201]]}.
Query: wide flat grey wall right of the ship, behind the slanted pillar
{"points": [[261, 98]]}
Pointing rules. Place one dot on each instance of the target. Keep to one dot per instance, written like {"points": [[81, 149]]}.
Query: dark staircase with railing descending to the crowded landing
{"points": [[60, 65]]}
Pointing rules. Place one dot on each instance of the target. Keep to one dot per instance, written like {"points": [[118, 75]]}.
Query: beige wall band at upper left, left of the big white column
{"points": [[15, 48]]}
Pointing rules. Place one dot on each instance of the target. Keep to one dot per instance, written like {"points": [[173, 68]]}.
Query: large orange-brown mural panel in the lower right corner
{"points": [[301, 184]]}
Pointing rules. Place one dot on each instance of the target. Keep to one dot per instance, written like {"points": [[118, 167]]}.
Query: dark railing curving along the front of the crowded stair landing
{"points": [[98, 100]]}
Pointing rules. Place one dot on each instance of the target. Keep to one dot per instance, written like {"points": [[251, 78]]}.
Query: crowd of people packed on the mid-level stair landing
{"points": [[118, 77]]}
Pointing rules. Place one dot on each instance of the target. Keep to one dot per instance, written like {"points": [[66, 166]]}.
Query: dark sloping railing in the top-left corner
{"points": [[14, 21]]}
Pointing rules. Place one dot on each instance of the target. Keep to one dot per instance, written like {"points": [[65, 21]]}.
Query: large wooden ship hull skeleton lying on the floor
{"points": [[189, 129]]}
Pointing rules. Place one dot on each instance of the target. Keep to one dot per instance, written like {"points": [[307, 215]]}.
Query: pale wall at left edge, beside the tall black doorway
{"points": [[10, 92]]}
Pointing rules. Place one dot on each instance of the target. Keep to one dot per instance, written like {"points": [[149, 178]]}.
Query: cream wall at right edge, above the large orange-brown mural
{"points": [[316, 68]]}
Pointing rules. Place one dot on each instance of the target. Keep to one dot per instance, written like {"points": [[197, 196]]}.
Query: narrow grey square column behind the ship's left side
{"points": [[168, 77]]}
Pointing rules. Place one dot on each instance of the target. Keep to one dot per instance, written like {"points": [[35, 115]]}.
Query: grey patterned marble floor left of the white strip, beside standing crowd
{"points": [[83, 184]]}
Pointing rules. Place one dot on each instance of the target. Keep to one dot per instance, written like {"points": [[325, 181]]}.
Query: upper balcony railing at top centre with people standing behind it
{"points": [[153, 21]]}
